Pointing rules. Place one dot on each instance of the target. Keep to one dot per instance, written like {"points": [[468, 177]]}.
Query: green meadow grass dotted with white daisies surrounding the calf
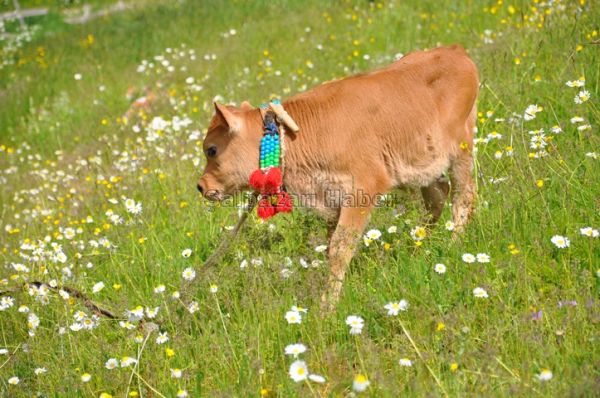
{"points": [[66, 151]]}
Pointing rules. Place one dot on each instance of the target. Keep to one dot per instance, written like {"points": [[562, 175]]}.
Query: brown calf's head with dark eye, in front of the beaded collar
{"points": [[231, 148]]}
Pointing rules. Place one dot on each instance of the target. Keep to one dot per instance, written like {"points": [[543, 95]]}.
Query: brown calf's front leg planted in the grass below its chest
{"points": [[342, 244]]}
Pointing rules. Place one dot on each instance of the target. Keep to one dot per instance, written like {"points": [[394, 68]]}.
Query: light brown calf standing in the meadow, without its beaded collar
{"points": [[404, 124]]}
